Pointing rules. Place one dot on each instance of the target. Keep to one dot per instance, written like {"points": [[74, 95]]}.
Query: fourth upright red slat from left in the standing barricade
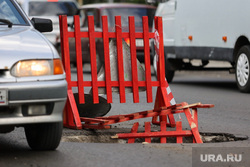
{"points": [[106, 59]]}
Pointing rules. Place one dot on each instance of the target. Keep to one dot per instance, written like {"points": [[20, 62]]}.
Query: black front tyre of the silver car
{"points": [[45, 136]]}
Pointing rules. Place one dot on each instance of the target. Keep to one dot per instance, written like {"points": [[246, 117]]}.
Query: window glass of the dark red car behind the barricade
{"points": [[125, 12]]}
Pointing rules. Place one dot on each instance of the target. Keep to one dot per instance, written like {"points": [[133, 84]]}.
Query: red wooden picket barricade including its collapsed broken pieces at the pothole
{"points": [[164, 104]]}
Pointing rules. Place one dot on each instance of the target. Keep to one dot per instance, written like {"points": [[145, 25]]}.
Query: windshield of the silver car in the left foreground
{"points": [[9, 12]]}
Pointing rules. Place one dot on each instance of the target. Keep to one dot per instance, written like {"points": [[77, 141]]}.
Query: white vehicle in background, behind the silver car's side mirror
{"points": [[50, 10]]}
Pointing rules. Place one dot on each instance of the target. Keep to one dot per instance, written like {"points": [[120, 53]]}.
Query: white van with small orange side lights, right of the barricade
{"points": [[207, 30]]}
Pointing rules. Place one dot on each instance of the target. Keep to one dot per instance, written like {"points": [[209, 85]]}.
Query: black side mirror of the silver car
{"points": [[42, 25]]}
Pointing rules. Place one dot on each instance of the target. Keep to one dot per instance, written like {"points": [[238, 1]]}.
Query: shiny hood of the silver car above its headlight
{"points": [[21, 43]]}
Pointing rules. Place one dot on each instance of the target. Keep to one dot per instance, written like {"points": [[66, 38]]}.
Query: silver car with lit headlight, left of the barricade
{"points": [[33, 89]]}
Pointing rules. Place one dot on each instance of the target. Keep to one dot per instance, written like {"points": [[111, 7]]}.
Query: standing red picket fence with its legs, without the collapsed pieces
{"points": [[163, 97]]}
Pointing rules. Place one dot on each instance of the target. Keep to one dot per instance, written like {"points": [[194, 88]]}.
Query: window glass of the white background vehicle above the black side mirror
{"points": [[52, 8]]}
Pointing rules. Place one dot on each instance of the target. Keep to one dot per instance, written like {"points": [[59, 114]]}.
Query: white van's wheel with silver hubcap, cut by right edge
{"points": [[242, 69]]}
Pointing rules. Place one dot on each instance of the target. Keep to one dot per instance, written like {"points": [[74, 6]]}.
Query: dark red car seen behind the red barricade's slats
{"points": [[111, 10]]}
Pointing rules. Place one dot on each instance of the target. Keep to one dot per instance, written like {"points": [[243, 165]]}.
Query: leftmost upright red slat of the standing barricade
{"points": [[65, 49]]}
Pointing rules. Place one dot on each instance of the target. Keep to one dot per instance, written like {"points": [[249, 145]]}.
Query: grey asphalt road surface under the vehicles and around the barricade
{"points": [[230, 115]]}
